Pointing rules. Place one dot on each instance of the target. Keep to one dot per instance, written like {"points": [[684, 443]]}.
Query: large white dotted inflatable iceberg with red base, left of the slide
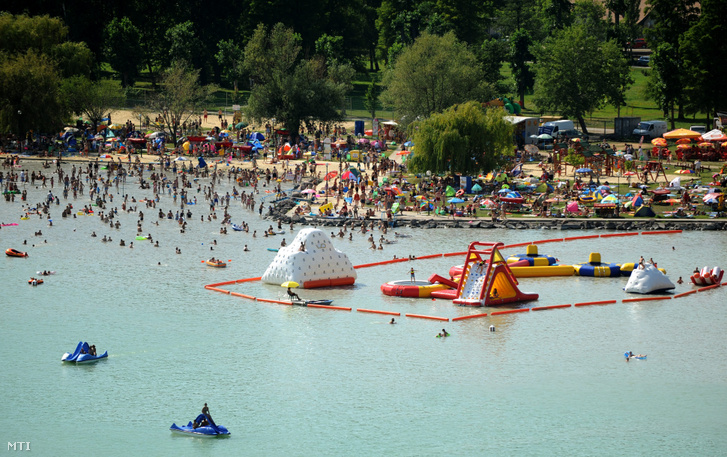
{"points": [[319, 265]]}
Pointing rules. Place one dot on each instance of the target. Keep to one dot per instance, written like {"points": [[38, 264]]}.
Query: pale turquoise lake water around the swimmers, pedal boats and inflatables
{"points": [[298, 381]]}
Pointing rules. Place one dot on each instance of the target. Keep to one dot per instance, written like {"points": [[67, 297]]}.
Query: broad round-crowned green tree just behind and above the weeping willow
{"points": [[431, 75]]}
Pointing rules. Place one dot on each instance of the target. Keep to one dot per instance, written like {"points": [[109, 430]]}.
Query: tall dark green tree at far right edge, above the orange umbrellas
{"points": [[706, 57]]}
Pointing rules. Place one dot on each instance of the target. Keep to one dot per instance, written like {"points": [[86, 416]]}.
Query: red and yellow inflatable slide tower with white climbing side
{"points": [[487, 280]]}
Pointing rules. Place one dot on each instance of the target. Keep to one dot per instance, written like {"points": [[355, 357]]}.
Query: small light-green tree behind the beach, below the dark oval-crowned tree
{"points": [[93, 100]]}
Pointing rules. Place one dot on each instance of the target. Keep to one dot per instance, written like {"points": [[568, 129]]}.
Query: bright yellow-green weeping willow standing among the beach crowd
{"points": [[464, 138]]}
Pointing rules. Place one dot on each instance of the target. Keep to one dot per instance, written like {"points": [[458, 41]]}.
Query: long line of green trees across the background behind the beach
{"points": [[298, 59]]}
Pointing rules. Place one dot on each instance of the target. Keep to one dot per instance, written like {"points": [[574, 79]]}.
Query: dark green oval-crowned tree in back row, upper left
{"points": [[122, 43]]}
